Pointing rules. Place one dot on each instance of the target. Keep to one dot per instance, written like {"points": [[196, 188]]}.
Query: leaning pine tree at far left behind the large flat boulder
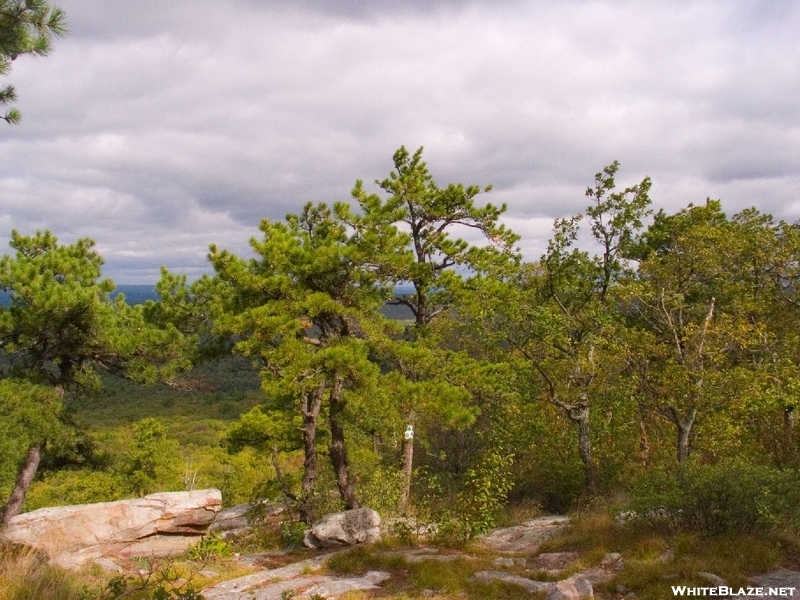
{"points": [[63, 331]]}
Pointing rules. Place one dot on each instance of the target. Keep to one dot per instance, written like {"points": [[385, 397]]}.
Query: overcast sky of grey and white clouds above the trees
{"points": [[156, 128]]}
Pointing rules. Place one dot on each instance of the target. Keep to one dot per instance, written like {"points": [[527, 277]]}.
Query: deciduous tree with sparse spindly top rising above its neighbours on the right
{"points": [[558, 317]]}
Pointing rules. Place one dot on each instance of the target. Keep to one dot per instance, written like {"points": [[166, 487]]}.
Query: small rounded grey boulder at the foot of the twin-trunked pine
{"points": [[357, 526]]}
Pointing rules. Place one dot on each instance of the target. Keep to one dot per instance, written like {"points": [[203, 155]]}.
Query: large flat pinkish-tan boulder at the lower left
{"points": [[158, 525]]}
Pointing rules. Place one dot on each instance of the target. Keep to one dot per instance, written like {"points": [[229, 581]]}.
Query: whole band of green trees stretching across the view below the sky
{"points": [[659, 366]]}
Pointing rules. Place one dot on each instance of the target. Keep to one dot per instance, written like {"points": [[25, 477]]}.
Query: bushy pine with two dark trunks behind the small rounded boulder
{"points": [[307, 309]]}
